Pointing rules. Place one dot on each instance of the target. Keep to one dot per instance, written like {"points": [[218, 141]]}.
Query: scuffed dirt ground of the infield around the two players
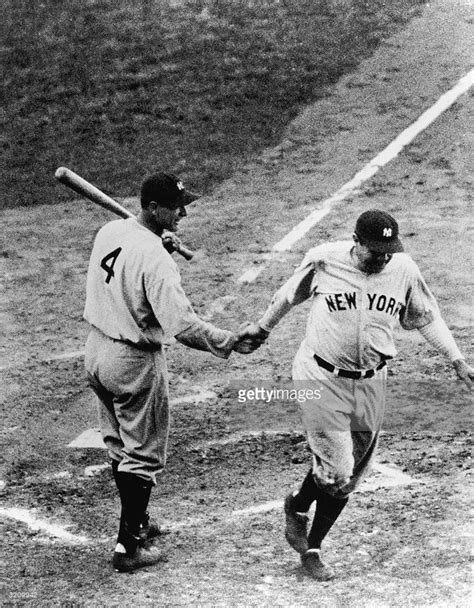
{"points": [[395, 545]]}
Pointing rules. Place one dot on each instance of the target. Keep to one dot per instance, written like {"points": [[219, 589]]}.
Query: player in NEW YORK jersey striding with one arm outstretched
{"points": [[360, 290]]}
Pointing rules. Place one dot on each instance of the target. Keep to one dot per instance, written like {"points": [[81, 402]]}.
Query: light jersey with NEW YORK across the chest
{"points": [[354, 314]]}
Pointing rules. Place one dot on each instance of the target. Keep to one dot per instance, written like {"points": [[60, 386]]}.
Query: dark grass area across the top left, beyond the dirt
{"points": [[114, 89]]}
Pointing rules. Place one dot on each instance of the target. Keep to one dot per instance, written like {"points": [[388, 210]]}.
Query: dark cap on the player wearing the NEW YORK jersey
{"points": [[379, 231]]}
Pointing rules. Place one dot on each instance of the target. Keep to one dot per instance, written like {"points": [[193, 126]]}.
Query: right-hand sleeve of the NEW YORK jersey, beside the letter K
{"points": [[421, 307]]}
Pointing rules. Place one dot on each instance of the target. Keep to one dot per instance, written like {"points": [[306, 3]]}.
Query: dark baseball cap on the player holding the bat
{"points": [[167, 190]]}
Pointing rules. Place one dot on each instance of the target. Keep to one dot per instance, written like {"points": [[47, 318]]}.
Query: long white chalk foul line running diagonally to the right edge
{"points": [[379, 161]]}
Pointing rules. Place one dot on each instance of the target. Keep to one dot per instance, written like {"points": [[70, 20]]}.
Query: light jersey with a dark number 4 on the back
{"points": [[134, 291]]}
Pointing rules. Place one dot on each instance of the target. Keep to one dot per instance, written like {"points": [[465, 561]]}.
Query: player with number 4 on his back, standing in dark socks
{"points": [[135, 304]]}
